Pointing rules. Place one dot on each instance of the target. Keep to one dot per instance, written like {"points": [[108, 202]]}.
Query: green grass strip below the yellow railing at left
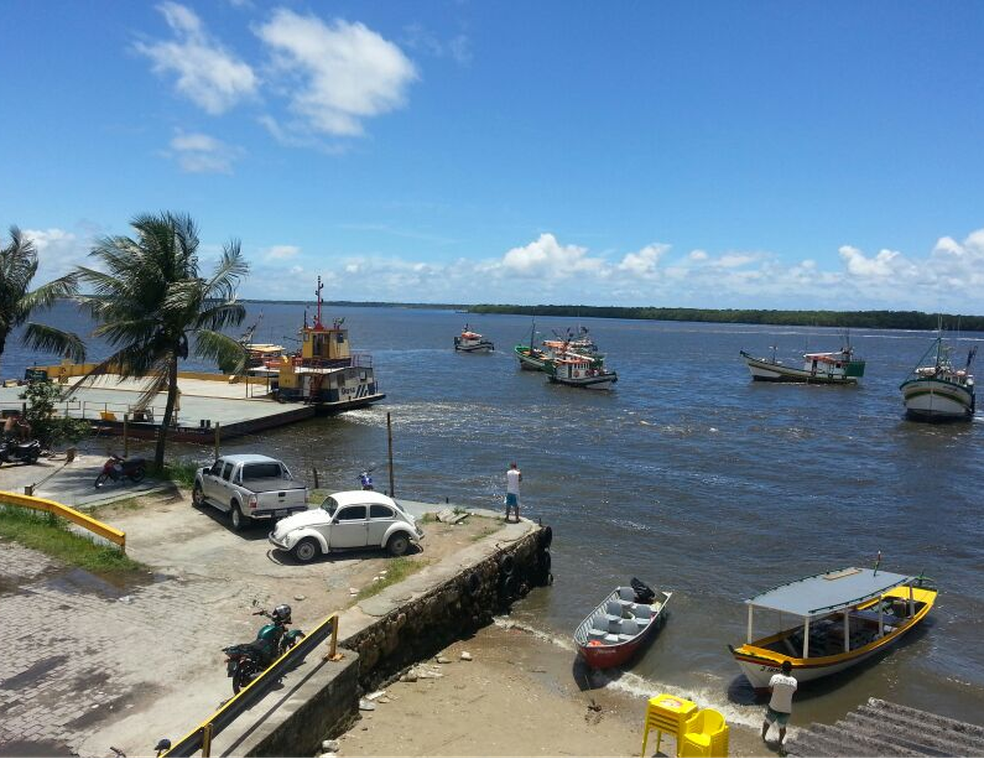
{"points": [[50, 535]]}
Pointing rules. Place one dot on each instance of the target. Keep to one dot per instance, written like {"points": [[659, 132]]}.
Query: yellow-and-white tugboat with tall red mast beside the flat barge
{"points": [[324, 372]]}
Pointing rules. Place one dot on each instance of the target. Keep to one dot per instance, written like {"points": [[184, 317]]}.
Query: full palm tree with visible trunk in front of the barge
{"points": [[154, 308]]}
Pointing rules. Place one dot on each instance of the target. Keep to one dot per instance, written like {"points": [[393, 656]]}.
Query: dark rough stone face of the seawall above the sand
{"points": [[418, 629]]}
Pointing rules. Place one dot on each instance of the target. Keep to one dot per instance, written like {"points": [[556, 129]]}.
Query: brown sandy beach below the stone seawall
{"points": [[520, 695]]}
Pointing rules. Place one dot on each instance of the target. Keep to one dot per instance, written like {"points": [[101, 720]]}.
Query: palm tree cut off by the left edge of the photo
{"points": [[18, 265]]}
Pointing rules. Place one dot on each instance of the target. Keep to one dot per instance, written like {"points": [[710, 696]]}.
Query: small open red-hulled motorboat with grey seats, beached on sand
{"points": [[623, 624]]}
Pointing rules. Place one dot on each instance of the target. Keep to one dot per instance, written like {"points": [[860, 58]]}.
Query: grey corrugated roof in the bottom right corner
{"points": [[881, 728]]}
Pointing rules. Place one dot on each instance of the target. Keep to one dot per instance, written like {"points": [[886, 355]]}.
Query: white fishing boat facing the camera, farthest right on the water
{"points": [[939, 392]]}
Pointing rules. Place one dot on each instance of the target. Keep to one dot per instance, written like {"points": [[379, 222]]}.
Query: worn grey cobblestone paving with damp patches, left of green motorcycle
{"points": [[85, 651]]}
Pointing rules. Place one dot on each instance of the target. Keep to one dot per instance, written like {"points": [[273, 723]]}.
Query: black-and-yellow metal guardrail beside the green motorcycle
{"points": [[200, 739]]}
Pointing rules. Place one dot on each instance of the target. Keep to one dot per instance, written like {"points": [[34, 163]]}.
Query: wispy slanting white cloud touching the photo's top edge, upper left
{"points": [[208, 74]]}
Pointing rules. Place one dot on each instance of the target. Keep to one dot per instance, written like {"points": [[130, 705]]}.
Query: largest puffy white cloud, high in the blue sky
{"points": [[336, 75]]}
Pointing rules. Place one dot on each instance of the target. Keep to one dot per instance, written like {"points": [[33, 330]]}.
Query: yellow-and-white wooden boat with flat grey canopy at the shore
{"points": [[835, 621]]}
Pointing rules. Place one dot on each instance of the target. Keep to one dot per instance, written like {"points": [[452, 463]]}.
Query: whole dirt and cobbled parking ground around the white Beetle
{"points": [[125, 661]]}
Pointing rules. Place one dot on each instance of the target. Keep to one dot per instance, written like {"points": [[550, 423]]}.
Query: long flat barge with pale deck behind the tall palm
{"points": [[239, 408]]}
